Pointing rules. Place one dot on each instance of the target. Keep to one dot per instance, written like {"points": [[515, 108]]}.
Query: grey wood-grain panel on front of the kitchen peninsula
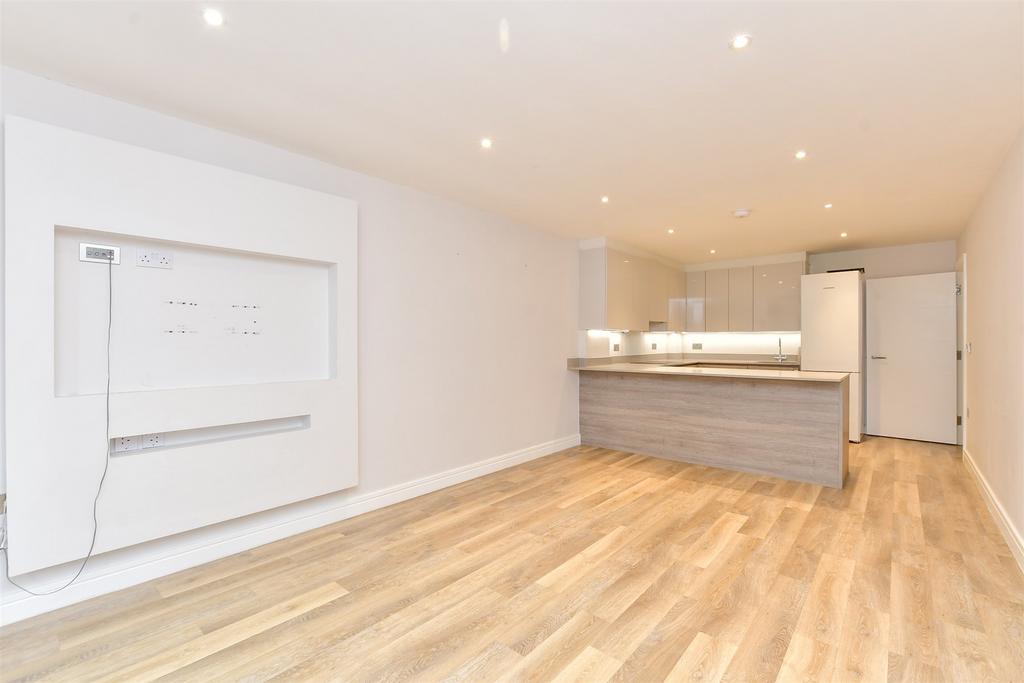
{"points": [[791, 430]]}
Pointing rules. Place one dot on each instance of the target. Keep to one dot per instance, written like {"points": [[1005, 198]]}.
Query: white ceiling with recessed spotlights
{"points": [[906, 109]]}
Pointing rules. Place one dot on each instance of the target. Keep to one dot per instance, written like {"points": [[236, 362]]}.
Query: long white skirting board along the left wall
{"points": [[136, 566]]}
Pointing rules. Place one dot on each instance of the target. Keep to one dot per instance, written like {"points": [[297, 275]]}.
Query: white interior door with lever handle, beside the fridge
{"points": [[912, 358]]}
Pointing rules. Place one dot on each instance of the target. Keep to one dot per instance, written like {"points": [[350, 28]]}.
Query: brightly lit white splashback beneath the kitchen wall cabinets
{"points": [[601, 344]]}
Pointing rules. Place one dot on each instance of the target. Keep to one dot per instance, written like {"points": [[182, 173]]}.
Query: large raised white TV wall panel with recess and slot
{"points": [[237, 239]]}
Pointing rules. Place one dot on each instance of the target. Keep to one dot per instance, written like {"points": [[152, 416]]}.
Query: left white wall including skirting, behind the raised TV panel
{"points": [[466, 321]]}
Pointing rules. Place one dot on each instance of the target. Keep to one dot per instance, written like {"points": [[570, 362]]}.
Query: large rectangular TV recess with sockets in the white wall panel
{"points": [[215, 318]]}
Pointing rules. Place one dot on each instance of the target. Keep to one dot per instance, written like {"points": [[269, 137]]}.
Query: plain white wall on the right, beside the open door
{"points": [[994, 243]]}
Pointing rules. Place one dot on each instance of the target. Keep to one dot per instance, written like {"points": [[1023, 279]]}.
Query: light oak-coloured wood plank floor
{"points": [[588, 566]]}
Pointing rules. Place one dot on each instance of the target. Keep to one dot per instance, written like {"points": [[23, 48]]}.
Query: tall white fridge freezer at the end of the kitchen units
{"points": [[832, 332]]}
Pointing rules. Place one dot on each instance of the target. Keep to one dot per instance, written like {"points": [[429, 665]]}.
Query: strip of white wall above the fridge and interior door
{"points": [[918, 260]]}
